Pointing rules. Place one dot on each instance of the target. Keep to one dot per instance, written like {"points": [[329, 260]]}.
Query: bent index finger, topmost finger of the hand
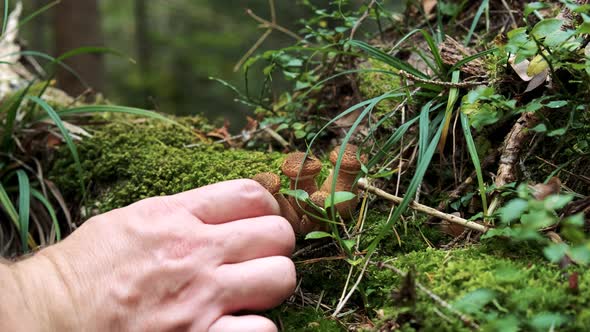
{"points": [[228, 201]]}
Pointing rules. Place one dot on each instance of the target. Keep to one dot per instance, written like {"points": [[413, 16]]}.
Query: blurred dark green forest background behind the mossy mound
{"points": [[177, 46]]}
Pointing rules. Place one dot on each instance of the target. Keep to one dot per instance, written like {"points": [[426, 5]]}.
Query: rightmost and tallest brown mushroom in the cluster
{"points": [[349, 169]]}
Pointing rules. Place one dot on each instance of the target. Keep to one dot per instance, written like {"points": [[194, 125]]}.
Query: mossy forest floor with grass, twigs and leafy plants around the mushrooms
{"points": [[474, 206]]}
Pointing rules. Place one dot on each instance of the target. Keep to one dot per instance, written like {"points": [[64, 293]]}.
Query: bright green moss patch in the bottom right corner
{"points": [[524, 291]]}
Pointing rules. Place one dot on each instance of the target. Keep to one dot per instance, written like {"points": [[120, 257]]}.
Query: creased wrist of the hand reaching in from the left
{"points": [[45, 299]]}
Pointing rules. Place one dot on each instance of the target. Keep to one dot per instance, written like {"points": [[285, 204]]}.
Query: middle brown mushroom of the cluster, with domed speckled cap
{"points": [[302, 171]]}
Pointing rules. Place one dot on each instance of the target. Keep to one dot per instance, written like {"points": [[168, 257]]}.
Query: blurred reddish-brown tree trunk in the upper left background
{"points": [[78, 24]]}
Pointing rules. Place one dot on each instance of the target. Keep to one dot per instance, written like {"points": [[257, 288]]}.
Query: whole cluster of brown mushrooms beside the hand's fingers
{"points": [[302, 171]]}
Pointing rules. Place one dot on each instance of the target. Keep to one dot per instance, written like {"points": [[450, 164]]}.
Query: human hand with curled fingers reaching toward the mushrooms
{"points": [[177, 263]]}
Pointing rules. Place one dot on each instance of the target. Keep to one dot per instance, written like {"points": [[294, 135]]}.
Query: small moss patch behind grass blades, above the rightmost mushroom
{"points": [[375, 84]]}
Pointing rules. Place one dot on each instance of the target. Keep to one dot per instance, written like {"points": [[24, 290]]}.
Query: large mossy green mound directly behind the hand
{"points": [[125, 162]]}
